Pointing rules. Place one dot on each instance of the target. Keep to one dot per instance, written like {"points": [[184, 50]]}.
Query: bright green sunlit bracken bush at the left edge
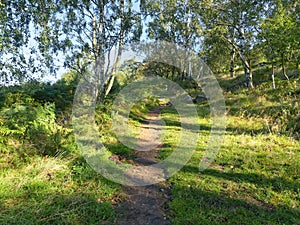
{"points": [[27, 122]]}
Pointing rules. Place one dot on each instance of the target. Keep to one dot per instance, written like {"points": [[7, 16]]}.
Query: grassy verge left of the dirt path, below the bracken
{"points": [[62, 188]]}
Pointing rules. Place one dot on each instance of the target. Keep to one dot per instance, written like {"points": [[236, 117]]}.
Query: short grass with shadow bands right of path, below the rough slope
{"points": [[254, 180]]}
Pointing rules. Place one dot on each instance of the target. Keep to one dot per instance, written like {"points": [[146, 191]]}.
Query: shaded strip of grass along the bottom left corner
{"points": [[57, 208]]}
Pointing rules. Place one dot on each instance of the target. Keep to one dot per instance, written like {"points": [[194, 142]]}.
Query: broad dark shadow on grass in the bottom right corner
{"points": [[195, 206]]}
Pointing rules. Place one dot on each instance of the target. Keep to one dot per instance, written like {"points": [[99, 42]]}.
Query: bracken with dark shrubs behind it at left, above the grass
{"points": [[35, 117]]}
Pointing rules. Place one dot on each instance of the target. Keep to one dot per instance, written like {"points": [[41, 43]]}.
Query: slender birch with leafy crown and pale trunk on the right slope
{"points": [[238, 19]]}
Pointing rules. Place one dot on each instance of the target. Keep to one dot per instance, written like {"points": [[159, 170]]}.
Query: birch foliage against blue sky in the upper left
{"points": [[34, 33]]}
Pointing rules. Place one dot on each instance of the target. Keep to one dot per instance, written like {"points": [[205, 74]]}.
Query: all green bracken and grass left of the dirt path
{"points": [[44, 179]]}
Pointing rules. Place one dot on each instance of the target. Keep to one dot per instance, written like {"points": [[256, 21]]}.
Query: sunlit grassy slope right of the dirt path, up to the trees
{"points": [[255, 177]]}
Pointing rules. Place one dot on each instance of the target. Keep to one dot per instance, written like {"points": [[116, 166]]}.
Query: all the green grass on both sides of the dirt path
{"points": [[253, 180]]}
